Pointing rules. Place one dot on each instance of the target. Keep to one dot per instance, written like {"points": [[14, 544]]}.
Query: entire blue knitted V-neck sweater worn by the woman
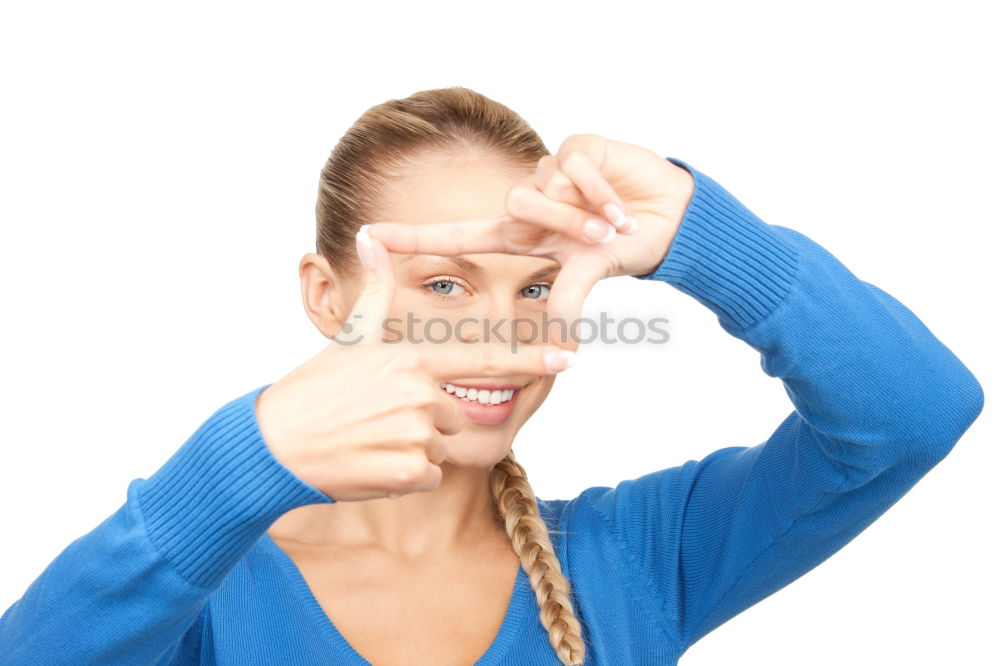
{"points": [[185, 573]]}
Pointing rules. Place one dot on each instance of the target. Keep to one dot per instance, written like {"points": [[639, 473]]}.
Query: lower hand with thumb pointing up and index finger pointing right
{"points": [[366, 418]]}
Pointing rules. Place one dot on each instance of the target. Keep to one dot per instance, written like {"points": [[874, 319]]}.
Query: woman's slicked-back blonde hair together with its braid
{"points": [[377, 149]]}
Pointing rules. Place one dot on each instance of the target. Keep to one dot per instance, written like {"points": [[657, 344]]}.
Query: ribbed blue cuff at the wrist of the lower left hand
{"points": [[210, 502]]}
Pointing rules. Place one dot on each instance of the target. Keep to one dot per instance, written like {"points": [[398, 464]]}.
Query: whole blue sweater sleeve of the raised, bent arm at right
{"points": [[878, 401]]}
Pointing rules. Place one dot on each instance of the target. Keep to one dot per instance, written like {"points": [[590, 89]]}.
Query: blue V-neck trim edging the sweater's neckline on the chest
{"points": [[516, 608]]}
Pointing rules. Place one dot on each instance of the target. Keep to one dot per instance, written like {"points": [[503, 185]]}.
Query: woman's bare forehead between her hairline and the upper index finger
{"points": [[444, 189]]}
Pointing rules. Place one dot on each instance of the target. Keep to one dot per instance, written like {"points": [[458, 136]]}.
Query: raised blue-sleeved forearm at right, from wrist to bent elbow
{"points": [[857, 364]]}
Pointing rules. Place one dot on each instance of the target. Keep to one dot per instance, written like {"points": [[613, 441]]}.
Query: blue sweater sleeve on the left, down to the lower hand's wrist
{"points": [[133, 589]]}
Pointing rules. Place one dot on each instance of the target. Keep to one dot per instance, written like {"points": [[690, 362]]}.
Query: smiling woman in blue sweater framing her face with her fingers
{"points": [[251, 545]]}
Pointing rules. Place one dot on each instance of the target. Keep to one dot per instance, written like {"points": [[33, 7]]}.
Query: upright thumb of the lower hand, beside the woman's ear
{"points": [[364, 324]]}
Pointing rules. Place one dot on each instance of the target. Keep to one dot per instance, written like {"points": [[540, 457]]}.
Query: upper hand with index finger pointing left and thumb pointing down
{"points": [[548, 213]]}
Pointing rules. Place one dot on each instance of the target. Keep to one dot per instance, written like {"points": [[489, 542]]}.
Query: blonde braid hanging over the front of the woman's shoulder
{"points": [[517, 510]]}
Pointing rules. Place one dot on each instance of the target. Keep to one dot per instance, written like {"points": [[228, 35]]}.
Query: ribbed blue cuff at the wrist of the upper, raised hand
{"points": [[726, 257]]}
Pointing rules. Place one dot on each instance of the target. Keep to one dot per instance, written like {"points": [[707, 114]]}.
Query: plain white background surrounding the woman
{"points": [[159, 166]]}
